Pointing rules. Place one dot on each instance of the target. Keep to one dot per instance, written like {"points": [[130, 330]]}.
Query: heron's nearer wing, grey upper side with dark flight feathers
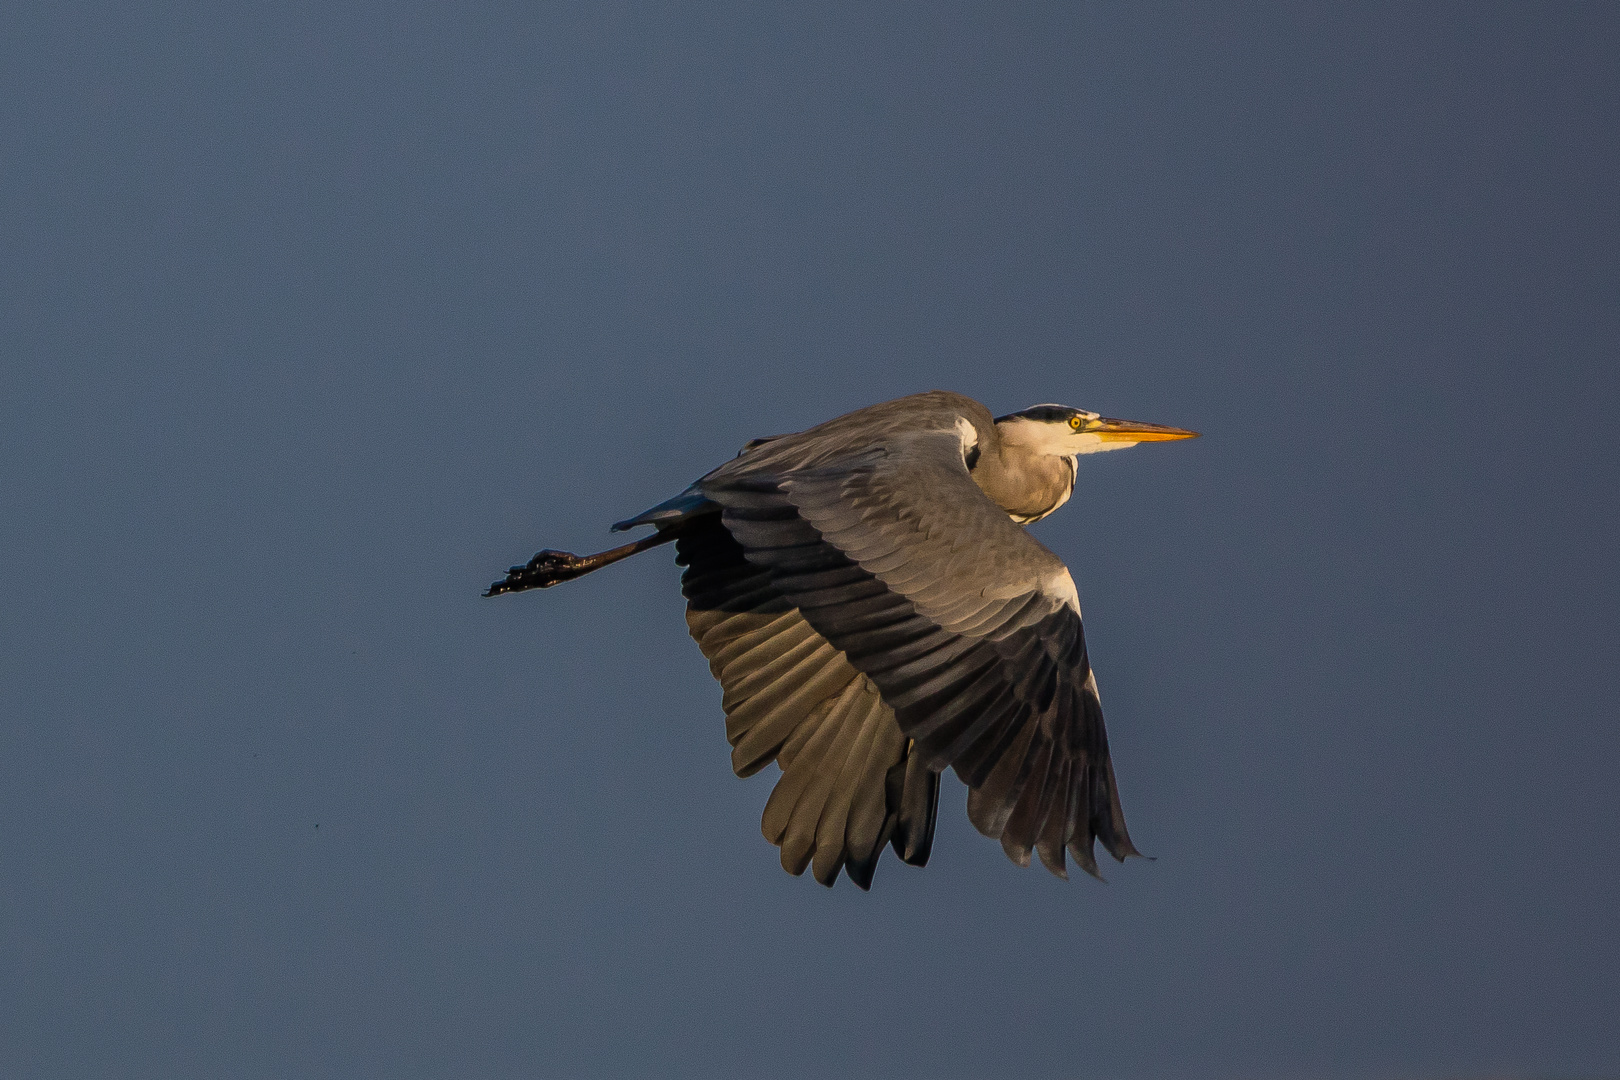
{"points": [[965, 624]]}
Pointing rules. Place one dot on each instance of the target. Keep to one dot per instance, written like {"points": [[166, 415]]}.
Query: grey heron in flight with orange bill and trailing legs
{"points": [[876, 613]]}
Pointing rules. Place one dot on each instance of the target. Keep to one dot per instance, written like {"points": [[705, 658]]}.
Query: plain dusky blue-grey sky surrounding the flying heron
{"points": [[317, 318]]}
